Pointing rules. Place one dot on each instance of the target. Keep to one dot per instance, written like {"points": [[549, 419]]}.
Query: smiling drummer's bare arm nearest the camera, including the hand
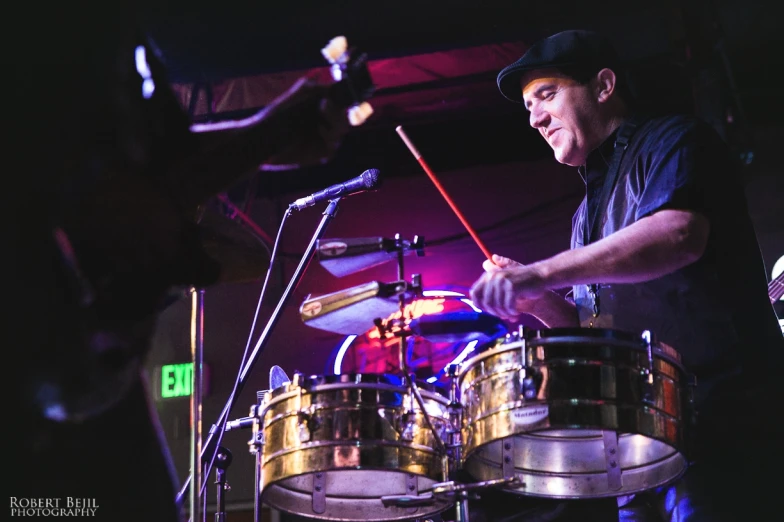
{"points": [[651, 247]]}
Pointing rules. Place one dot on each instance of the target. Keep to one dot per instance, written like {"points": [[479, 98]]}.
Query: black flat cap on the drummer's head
{"points": [[565, 49]]}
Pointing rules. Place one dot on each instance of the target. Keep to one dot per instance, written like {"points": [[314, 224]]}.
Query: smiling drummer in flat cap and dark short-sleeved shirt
{"points": [[665, 245]]}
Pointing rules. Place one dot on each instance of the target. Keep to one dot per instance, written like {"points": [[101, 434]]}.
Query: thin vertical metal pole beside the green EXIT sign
{"points": [[197, 357]]}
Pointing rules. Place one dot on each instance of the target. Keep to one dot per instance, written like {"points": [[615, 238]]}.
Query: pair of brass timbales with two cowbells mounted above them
{"points": [[561, 413]]}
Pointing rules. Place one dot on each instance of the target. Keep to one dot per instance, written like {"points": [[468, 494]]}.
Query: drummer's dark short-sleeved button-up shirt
{"points": [[715, 312]]}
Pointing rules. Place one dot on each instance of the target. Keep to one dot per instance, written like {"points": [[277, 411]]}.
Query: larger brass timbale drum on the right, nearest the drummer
{"points": [[576, 413]]}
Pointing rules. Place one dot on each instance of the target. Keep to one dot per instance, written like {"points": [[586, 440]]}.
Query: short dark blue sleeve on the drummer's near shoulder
{"points": [[686, 166]]}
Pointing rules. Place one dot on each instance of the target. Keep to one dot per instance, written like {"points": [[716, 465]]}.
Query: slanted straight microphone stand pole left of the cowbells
{"points": [[209, 444]]}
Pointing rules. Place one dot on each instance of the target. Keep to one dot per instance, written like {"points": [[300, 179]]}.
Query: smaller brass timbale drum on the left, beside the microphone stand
{"points": [[333, 446]]}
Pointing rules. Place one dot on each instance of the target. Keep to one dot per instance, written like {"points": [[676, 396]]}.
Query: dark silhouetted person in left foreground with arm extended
{"points": [[108, 177]]}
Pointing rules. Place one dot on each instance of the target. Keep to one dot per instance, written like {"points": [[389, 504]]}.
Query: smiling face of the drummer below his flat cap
{"points": [[564, 112]]}
